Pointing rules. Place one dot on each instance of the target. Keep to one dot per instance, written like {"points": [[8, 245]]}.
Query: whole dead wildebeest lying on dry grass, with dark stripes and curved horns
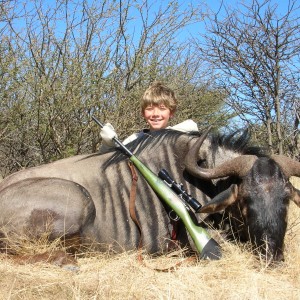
{"points": [[88, 195]]}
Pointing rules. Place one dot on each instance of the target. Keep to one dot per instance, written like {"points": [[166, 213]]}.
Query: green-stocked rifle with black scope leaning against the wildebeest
{"points": [[207, 247]]}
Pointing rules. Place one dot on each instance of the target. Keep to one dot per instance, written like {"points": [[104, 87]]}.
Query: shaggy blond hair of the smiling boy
{"points": [[157, 94]]}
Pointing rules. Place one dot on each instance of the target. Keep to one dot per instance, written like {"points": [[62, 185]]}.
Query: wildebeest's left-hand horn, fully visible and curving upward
{"points": [[238, 166]]}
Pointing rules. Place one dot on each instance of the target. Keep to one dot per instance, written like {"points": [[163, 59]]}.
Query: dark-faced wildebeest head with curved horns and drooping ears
{"points": [[261, 194]]}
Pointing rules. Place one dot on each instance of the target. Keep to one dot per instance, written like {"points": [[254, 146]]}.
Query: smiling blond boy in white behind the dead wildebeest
{"points": [[158, 106]]}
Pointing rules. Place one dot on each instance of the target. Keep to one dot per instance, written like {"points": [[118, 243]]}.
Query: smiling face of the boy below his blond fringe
{"points": [[157, 116]]}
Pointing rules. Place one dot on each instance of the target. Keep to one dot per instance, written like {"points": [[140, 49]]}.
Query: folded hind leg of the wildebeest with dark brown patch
{"points": [[33, 208]]}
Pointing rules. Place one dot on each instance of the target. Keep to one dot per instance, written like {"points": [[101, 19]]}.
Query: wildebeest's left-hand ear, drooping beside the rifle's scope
{"points": [[221, 201]]}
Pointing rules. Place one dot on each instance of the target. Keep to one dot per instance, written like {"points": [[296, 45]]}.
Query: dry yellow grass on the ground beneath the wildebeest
{"points": [[239, 275]]}
